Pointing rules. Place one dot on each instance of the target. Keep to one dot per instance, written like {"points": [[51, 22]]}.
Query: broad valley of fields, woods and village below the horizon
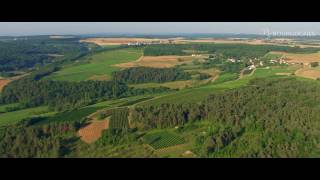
{"points": [[164, 97]]}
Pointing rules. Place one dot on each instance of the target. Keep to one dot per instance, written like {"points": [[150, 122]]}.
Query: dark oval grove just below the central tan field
{"points": [[146, 74]]}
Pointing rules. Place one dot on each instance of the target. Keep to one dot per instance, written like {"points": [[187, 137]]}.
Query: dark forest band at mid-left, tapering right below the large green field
{"points": [[32, 91]]}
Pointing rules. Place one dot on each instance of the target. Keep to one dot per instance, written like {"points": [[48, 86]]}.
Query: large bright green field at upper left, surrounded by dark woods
{"points": [[98, 66]]}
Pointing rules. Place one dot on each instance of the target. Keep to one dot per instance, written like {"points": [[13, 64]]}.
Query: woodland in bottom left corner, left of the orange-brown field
{"points": [[24, 141]]}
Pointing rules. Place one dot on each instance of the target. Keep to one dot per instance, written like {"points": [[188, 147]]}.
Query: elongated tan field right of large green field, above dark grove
{"points": [[158, 61]]}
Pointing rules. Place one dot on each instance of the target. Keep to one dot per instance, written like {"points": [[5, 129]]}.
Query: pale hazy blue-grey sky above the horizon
{"points": [[75, 28]]}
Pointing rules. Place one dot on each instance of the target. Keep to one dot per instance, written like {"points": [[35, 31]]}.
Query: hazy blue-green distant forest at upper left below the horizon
{"points": [[25, 54]]}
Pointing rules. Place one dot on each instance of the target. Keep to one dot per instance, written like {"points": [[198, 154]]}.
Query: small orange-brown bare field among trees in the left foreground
{"points": [[93, 131]]}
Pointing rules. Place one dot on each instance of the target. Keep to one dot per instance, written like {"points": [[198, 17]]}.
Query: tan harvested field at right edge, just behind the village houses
{"points": [[299, 58]]}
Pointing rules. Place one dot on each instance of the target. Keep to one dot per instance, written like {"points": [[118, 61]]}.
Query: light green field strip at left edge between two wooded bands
{"points": [[16, 116]]}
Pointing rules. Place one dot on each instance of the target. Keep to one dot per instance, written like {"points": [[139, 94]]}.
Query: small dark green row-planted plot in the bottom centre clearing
{"points": [[163, 139]]}
